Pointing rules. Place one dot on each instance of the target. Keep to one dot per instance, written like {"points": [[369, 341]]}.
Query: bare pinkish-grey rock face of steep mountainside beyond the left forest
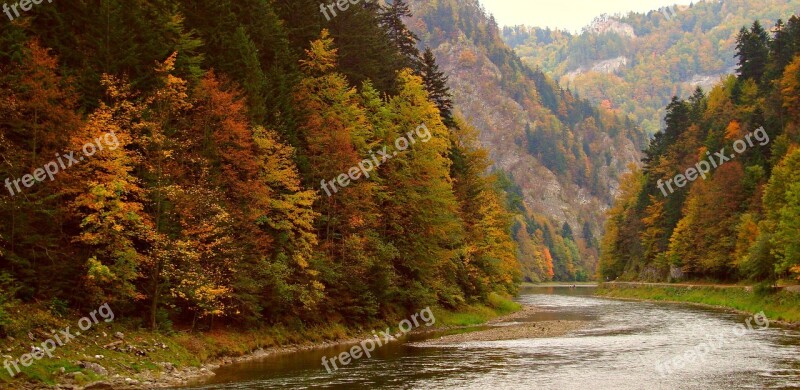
{"points": [[487, 99]]}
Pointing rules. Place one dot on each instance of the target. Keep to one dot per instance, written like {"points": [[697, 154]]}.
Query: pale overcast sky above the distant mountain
{"points": [[572, 15]]}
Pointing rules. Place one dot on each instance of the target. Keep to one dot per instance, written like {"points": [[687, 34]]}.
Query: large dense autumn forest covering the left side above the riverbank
{"points": [[225, 116]]}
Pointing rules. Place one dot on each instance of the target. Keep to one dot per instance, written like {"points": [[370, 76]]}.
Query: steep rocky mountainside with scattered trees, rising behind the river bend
{"points": [[564, 156]]}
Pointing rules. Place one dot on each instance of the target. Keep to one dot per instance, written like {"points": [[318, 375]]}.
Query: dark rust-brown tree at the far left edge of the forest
{"points": [[38, 116]]}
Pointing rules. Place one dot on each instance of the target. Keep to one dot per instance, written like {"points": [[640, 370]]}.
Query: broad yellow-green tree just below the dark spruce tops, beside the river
{"points": [[420, 202]]}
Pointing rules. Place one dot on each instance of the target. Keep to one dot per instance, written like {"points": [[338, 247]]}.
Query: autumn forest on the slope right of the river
{"points": [[740, 224]]}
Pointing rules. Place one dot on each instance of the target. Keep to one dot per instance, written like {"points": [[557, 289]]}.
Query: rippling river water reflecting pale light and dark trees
{"points": [[619, 348]]}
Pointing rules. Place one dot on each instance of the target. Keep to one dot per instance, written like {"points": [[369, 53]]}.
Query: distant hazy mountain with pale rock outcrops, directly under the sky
{"points": [[635, 63]]}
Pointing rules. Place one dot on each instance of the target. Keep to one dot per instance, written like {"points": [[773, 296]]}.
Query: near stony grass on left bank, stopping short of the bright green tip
{"points": [[183, 349]]}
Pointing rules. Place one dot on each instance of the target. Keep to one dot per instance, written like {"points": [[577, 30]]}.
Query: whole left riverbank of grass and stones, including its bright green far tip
{"points": [[144, 353]]}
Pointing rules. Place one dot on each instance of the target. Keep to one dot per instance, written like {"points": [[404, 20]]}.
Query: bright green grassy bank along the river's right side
{"points": [[783, 306]]}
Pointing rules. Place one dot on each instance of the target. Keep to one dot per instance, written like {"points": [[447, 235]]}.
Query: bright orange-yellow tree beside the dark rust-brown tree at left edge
{"points": [[109, 202]]}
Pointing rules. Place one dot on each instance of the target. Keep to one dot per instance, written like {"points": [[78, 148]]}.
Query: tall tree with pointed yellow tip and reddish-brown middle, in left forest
{"points": [[337, 131]]}
